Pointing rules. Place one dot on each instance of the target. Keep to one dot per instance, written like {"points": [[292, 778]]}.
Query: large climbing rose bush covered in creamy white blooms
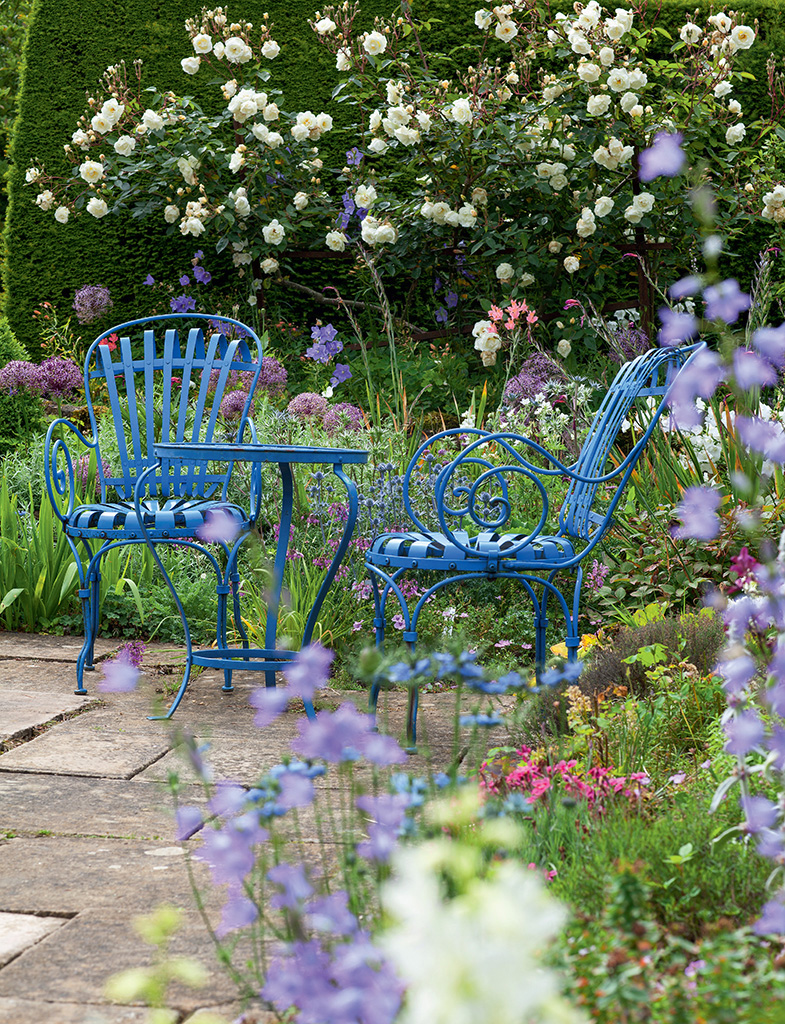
{"points": [[512, 177]]}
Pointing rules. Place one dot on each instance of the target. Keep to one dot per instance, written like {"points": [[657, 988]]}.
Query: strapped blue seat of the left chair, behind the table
{"points": [[171, 518]]}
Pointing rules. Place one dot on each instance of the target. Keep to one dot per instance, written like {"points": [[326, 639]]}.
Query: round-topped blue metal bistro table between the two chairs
{"points": [[198, 456]]}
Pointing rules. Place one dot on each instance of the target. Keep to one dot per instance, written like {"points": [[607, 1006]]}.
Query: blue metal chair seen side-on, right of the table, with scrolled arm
{"points": [[476, 489]]}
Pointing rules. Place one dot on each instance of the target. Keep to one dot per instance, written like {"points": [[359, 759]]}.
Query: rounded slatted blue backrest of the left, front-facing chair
{"points": [[141, 418]]}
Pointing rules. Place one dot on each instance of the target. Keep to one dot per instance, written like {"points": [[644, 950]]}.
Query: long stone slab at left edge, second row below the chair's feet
{"points": [[34, 803]]}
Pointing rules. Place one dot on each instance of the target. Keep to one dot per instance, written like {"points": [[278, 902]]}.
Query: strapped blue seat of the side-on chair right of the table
{"points": [[404, 549]]}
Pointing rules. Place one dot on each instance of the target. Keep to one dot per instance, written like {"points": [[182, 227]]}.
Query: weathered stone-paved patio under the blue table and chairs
{"points": [[88, 827]]}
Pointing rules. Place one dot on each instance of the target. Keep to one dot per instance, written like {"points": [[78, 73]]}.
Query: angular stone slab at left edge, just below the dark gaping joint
{"points": [[98, 744]]}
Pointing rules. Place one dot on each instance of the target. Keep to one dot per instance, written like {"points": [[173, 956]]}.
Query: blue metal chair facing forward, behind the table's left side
{"points": [[157, 390]]}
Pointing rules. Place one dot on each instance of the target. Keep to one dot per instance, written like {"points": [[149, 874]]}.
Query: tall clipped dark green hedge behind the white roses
{"points": [[64, 58]]}
